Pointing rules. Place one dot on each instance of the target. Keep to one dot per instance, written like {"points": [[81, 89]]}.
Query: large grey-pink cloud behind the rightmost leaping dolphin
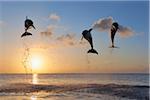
{"points": [[104, 24]]}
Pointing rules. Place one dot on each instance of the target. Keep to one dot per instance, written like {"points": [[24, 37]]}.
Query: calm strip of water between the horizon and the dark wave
{"points": [[128, 79]]}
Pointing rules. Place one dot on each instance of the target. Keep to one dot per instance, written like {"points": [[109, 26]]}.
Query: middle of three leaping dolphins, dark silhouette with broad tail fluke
{"points": [[87, 35]]}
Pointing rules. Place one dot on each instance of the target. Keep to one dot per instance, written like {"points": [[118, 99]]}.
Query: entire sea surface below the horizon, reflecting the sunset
{"points": [[74, 86]]}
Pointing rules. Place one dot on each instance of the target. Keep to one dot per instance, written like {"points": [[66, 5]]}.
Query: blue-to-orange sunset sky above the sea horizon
{"points": [[56, 46]]}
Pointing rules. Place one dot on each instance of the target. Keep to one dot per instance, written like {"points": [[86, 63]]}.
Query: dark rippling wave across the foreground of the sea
{"points": [[139, 92]]}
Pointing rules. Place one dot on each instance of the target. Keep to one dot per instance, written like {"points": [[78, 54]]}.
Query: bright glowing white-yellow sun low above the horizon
{"points": [[36, 62]]}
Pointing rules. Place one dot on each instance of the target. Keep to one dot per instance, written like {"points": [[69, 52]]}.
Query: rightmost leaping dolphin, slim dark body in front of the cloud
{"points": [[114, 29]]}
